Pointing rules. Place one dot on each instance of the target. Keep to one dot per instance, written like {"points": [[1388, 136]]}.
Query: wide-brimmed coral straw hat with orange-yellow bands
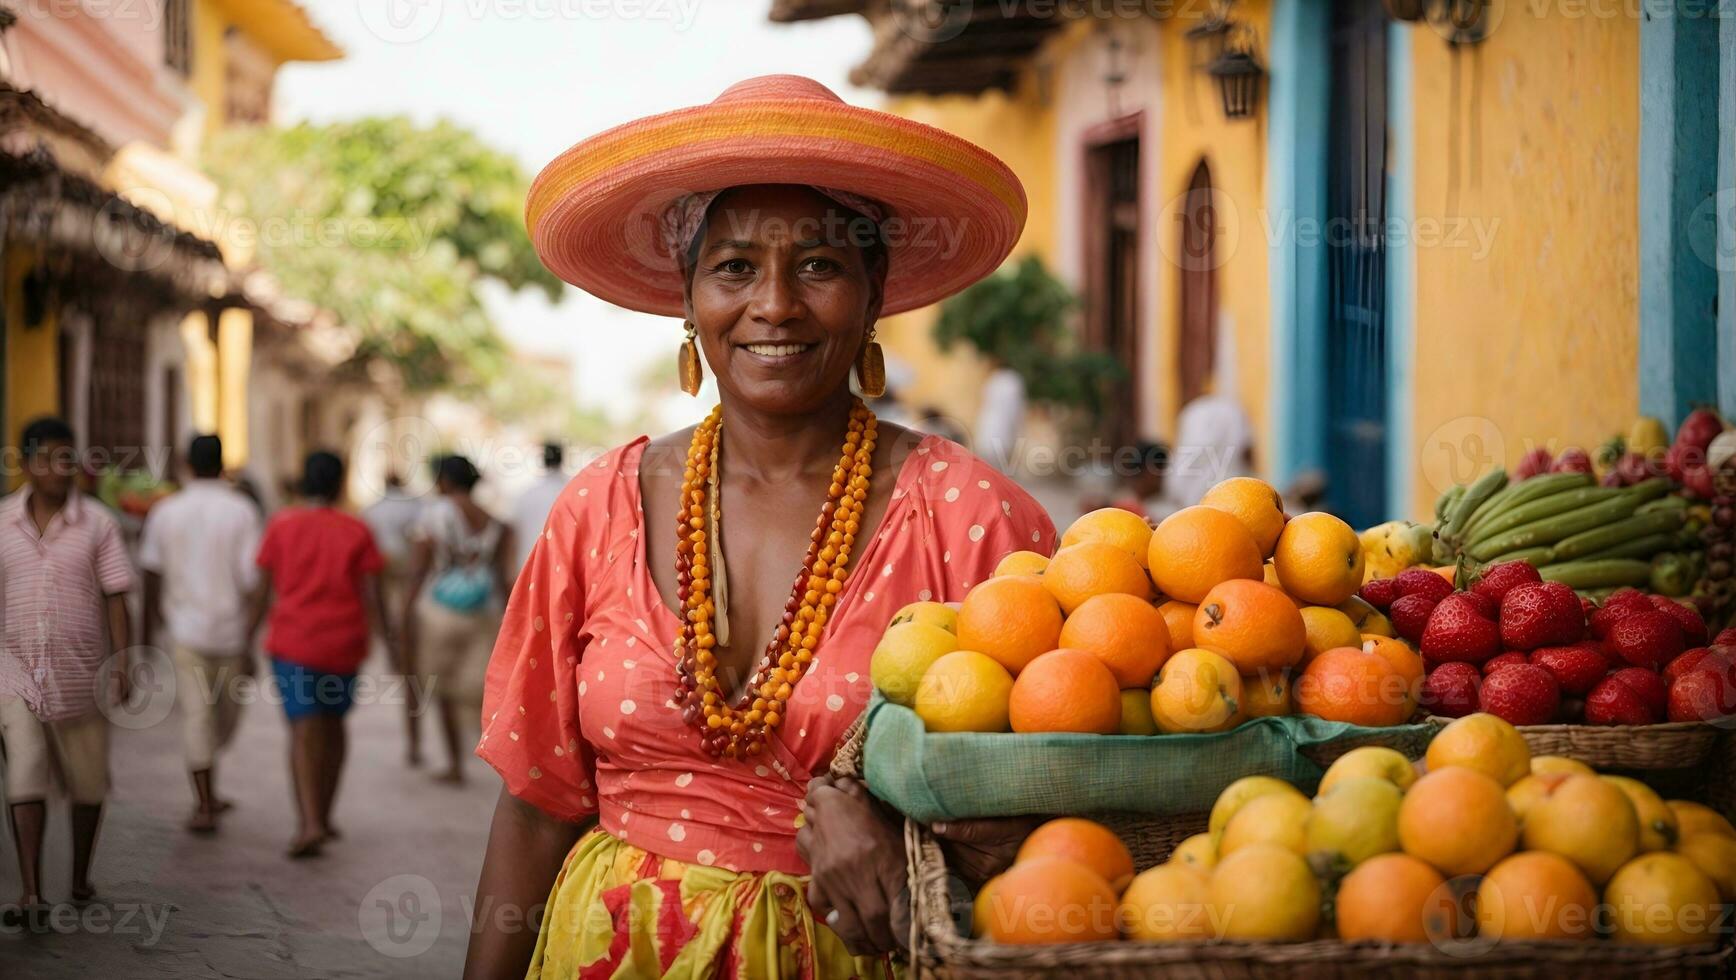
{"points": [[595, 214]]}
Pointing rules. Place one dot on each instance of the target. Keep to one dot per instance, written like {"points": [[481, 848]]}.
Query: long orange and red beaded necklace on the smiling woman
{"points": [[742, 729]]}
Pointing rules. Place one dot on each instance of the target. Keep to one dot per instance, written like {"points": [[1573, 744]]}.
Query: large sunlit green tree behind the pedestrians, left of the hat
{"points": [[391, 226]]}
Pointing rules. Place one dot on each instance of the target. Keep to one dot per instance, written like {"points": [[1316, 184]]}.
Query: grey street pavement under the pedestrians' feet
{"points": [[390, 899]]}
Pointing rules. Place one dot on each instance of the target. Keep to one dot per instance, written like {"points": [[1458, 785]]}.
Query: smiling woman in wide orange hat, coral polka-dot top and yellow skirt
{"points": [[662, 759]]}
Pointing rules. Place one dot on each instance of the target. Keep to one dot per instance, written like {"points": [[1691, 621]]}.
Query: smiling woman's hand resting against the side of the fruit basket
{"points": [[857, 853]]}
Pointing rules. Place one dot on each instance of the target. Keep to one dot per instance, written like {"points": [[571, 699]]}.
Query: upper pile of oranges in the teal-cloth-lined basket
{"points": [[1223, 613]]}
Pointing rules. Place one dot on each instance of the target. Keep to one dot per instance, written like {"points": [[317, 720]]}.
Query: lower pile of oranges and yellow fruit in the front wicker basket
{"points": [[1478, 840]]}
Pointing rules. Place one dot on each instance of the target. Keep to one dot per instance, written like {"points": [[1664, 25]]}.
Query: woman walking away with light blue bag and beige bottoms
{"points": [[450, 629]]}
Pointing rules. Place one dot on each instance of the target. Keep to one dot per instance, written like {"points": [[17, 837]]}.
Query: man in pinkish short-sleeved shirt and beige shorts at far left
{"points": [[67, 580]]}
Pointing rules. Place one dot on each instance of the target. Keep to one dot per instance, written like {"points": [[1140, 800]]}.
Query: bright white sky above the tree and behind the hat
{"points": [[532, 77]]}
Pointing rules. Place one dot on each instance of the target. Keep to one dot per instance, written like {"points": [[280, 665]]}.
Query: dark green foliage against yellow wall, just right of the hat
{"points": [[1022, 320]]}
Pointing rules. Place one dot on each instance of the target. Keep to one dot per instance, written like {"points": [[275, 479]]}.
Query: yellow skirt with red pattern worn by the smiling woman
{"points": [[622, 913]]}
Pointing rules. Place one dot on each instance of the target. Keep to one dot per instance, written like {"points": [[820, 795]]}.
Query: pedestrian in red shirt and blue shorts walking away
{"points": [[324, 570]]}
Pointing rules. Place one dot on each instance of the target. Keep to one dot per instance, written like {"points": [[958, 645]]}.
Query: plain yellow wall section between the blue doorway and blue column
{"points": [[1535, 343]]}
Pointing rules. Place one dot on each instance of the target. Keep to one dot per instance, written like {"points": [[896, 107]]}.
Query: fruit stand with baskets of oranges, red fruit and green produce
{"points": [[1503, 743]]}
